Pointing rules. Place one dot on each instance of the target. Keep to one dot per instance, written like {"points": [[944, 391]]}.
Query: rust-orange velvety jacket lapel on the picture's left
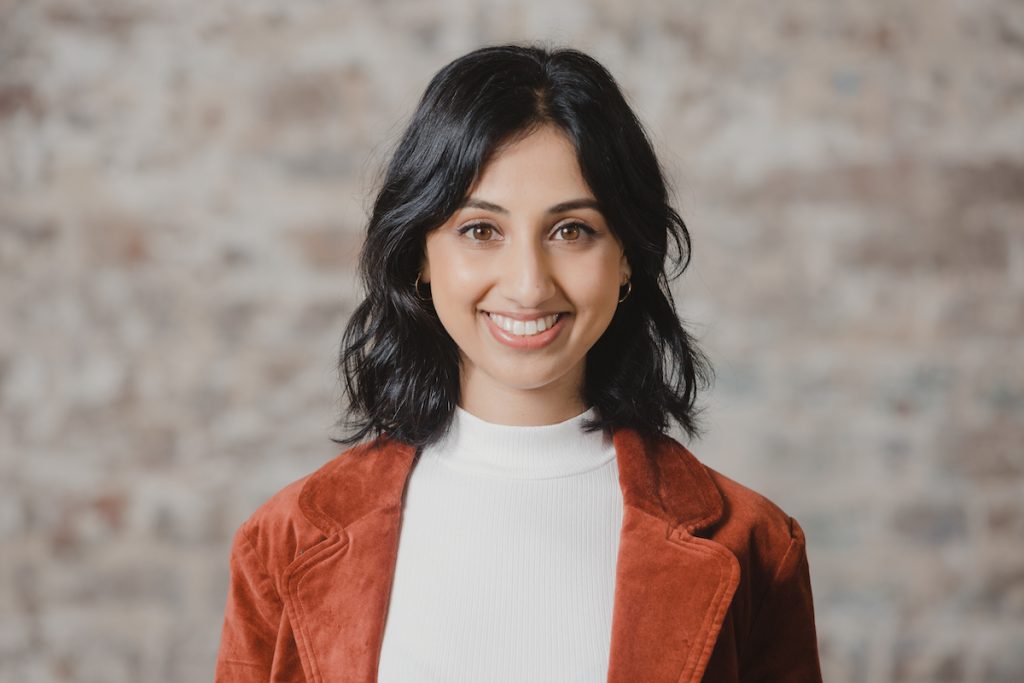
{"points": [[336, 593]]}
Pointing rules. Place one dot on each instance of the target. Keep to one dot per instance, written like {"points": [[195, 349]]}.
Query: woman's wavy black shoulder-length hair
{"points": [[401, 367]]}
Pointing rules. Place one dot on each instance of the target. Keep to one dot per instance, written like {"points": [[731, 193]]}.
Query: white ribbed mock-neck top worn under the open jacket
{"points": [[506, 558]]}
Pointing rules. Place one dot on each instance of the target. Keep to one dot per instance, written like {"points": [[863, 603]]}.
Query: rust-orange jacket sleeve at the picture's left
{"points": [[252, 618]]}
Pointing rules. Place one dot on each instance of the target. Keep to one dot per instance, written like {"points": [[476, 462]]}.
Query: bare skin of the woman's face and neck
{"points": [[526, 262]]}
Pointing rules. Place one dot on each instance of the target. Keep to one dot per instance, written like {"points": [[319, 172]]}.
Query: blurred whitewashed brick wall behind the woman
{"points": [[183, 191]]}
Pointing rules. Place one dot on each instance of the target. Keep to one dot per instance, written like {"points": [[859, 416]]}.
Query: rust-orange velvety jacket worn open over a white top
{"points": [[712, 579]]}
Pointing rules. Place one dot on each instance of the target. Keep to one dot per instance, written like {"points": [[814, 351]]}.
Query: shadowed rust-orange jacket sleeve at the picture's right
{"points": [[783, 645]]}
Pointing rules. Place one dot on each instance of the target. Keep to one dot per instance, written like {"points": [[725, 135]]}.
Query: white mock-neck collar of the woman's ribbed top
{"points": [[514, 452]]}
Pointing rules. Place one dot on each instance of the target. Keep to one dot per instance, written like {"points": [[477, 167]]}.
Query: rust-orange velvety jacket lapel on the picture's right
{"points": [[672, 588]]}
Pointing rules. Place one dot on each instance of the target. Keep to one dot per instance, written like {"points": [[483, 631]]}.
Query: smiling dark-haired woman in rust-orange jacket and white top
{"points": [[520, 514]]}
